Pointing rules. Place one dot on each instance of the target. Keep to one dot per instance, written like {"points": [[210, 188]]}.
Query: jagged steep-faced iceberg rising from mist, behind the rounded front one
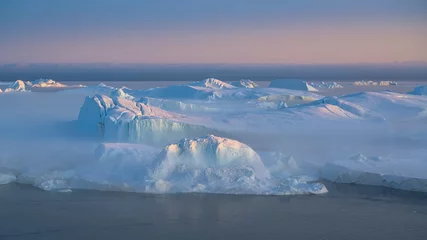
{"points": [[123, 119]]}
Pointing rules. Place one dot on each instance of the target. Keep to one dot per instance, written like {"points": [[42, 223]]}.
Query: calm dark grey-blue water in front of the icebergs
{"points": [[347, 212]]}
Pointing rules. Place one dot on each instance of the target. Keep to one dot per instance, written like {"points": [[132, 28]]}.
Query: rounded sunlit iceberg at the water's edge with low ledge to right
{"points": [[219, 165]]}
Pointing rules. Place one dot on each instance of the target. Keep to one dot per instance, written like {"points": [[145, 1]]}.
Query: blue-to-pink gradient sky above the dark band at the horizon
{"points": [[213, 31]]}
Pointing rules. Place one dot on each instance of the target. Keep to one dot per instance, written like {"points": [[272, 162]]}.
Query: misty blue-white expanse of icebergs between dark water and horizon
{"points": [[215, 138]]}
